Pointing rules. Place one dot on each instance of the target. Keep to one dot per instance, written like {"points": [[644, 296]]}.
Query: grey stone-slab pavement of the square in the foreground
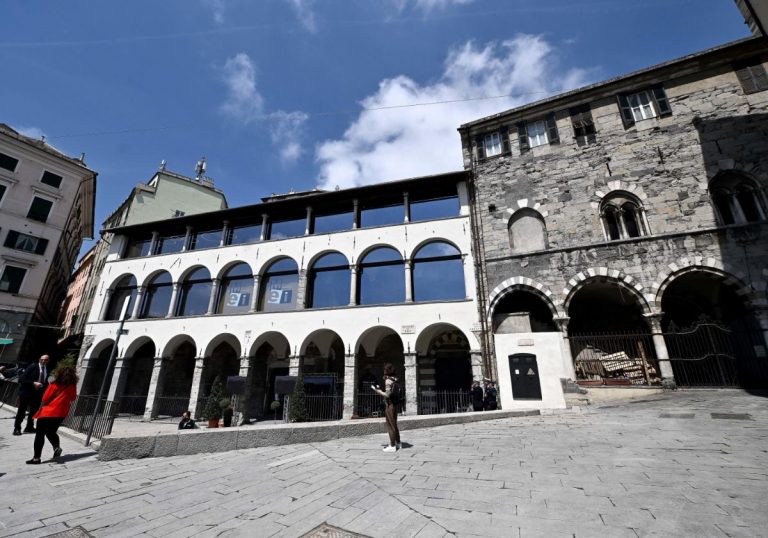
{"points": [[680, 464]]}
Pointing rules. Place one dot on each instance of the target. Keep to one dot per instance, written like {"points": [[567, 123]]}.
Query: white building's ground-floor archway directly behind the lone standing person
{"points": [[376, 347]]}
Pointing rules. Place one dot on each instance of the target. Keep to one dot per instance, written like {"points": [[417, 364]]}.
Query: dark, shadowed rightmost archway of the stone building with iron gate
{"points": [[711, 333]]}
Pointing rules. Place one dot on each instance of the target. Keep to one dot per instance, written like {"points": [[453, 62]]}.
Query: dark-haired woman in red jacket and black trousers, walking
{"points": [[53, 410]]}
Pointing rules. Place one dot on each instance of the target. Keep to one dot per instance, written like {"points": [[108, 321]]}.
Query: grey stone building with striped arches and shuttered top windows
{"points": [[623, 226]]}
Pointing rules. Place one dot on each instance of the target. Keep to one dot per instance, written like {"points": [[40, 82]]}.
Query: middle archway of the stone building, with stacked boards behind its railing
{"points": [[610, 338]]}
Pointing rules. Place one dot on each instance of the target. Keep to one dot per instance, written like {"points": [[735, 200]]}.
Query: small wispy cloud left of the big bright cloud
{"points": [[245, 105]]}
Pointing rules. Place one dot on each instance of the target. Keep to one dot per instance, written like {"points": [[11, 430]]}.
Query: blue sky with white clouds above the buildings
{"points": [[282, 94]]}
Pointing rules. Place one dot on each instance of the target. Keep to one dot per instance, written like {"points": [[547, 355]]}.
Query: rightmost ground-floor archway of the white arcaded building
{"points": [[444, 370]]}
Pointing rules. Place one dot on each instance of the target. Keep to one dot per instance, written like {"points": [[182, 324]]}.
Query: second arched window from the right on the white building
{"points": [[381, 277]]}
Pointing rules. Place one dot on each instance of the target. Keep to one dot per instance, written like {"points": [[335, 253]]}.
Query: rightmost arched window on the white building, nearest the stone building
{"points": [[438, 273]]}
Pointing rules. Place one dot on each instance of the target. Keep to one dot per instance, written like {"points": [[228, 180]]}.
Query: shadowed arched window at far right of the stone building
{"points": [[737, 199]]}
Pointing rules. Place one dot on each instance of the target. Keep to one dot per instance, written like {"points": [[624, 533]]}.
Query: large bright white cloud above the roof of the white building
{"points": [[396, 143]]}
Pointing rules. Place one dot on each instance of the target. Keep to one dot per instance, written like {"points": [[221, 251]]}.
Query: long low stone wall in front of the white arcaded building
{"points": [[115, 447]]}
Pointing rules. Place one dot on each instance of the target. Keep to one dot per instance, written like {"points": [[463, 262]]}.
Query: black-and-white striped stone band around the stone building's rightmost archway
{"points": [[735, 279]]}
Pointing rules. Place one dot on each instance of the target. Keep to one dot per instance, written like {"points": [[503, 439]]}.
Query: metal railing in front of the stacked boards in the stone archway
{"points": [[615, 359]]}
